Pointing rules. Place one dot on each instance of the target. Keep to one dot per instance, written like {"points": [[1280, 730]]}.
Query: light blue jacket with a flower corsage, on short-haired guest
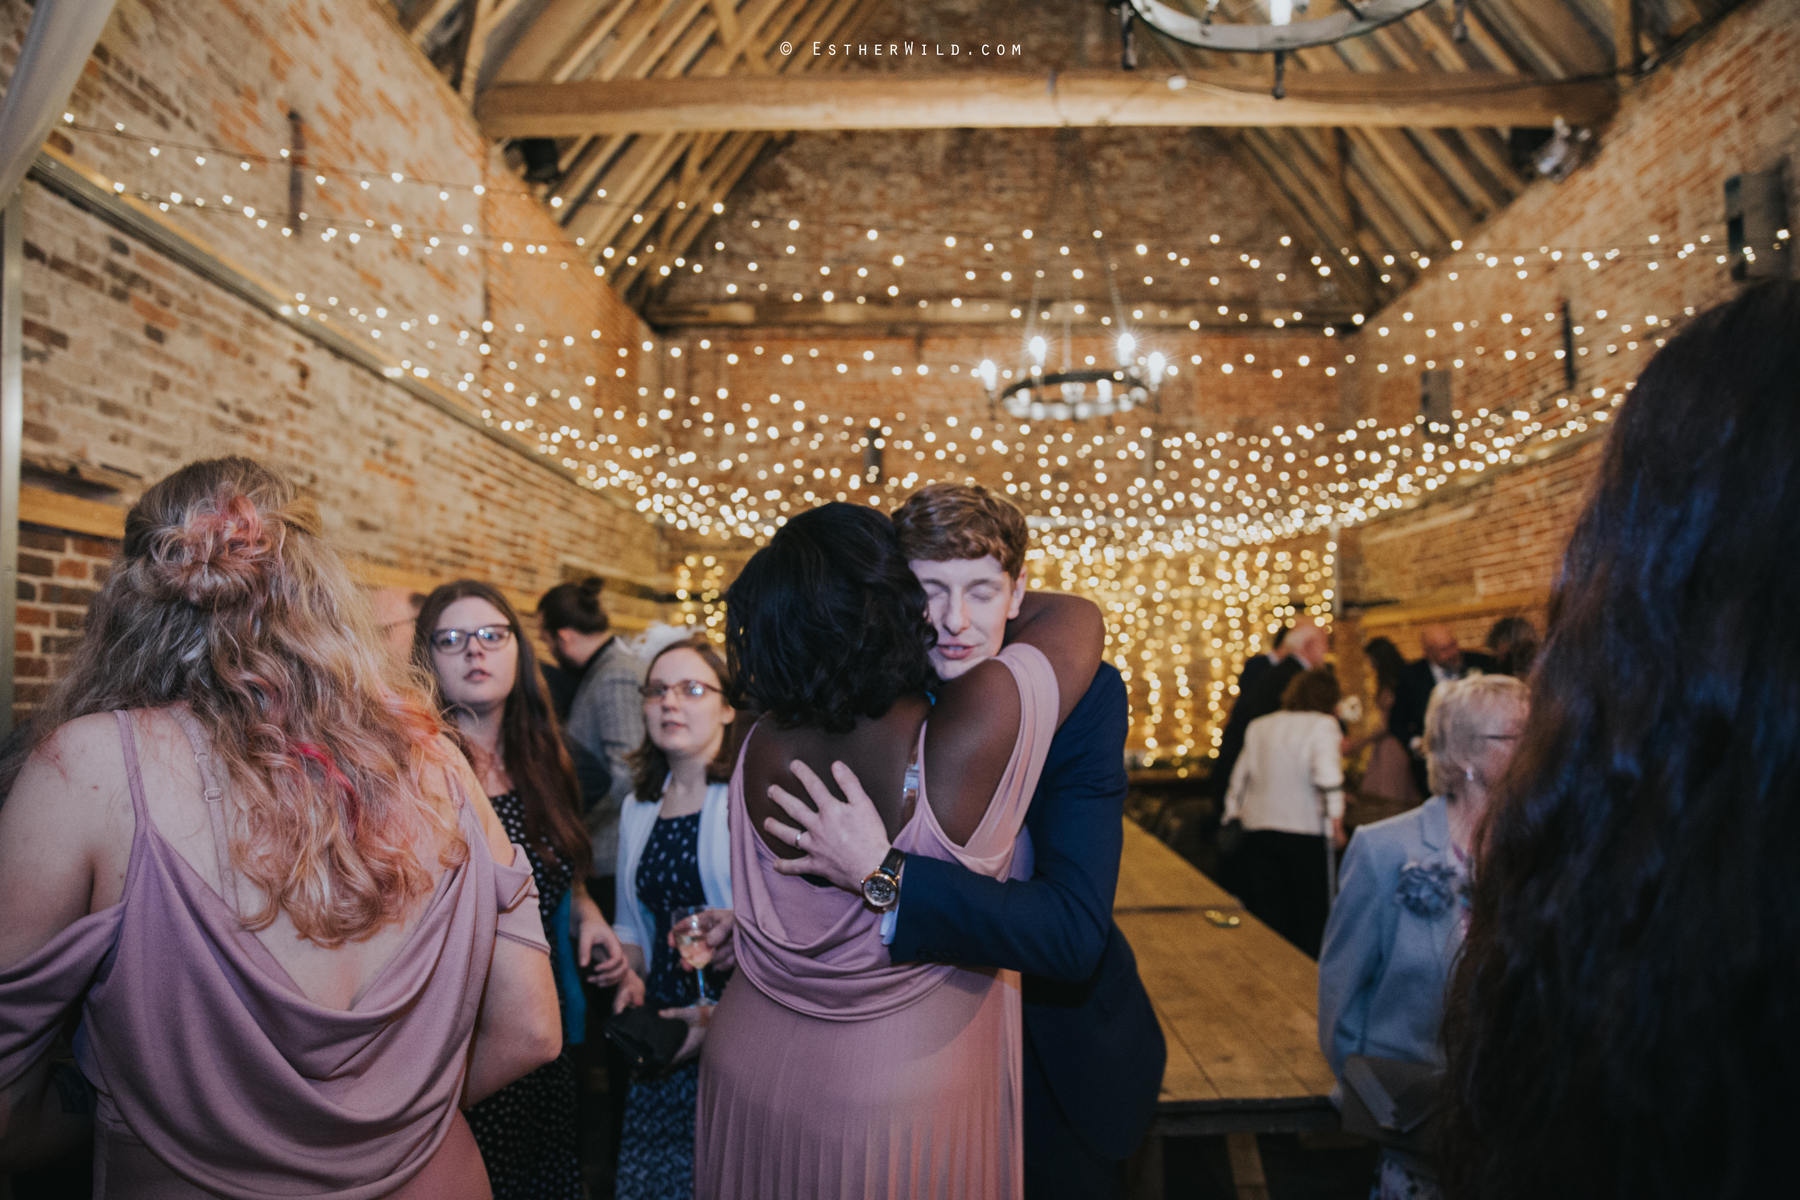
{"points": [[1392, 940]]}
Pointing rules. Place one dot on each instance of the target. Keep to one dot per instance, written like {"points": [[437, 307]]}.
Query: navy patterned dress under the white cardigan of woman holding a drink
{"points": [[656, 1147]]}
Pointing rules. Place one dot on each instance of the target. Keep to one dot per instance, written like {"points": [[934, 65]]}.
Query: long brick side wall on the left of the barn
{"points": [[134, 364]]}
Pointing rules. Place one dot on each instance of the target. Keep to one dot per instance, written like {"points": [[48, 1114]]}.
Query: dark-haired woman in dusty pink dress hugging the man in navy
{"points": [[827, 638]]}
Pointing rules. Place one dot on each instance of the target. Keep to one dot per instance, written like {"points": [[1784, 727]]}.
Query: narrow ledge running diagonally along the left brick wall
{"points": [[85, 192]]}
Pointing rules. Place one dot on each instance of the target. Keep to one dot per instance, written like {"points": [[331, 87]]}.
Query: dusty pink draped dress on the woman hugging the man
{"points": [[829, 1073]]}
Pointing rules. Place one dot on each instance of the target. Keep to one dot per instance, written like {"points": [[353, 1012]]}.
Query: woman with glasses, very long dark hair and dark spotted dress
{"points": [[472, 645]]}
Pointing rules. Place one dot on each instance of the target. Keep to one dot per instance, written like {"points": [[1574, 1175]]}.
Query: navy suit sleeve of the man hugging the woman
{"points": [[1057, 922]]}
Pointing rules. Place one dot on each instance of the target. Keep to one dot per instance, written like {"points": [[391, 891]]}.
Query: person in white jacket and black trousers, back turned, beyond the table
{"points": [[1288, 794]]}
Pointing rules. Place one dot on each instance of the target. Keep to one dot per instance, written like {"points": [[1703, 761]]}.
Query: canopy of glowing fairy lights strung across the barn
{"points": [[1196, 541]]}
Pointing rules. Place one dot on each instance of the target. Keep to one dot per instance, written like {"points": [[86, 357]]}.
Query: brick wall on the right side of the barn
{"points": [[1655, 195]]}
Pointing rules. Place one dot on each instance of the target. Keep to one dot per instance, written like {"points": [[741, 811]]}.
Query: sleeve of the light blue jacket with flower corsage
{"points": [[1358, 940]]}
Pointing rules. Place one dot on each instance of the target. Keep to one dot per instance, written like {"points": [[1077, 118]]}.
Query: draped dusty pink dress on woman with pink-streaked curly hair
{"points": [[219, 1079]]}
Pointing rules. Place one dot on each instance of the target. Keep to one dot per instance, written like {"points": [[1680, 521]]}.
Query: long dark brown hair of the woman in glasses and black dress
{"points": [[532, 746]]}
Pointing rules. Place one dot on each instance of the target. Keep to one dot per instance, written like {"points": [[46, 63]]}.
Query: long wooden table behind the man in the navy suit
{"points": [[1239, 1010]]}
